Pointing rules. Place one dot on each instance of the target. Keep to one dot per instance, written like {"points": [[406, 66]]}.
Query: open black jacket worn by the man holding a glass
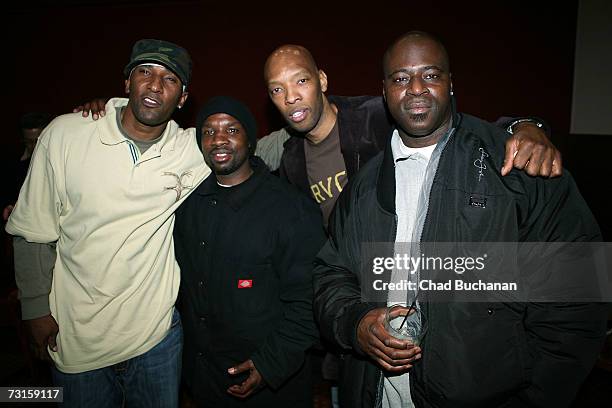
{"points": [[475, 354]]}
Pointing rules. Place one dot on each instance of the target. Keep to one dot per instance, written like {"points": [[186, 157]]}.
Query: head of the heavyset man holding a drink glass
{"points": [[417, 86]]}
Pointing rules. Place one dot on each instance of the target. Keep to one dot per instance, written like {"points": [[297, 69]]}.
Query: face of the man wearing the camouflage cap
{"points": [[154, 92]]}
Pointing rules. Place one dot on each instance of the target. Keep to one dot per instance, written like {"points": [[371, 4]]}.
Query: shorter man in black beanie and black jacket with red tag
{"points": [[245, 242]]}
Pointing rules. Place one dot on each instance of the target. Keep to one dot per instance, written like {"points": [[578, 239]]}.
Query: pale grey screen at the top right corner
{"points": [[592, 94]]}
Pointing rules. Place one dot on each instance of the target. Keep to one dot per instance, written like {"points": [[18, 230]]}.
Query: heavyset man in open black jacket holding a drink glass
{"points": [[438, 181]]}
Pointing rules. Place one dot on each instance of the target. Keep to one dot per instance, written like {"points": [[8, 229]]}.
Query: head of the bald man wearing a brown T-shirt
{"points": [[296, 88]]}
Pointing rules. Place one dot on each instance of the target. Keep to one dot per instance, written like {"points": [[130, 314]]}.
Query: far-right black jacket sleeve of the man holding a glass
{"points": [[565, 338]]}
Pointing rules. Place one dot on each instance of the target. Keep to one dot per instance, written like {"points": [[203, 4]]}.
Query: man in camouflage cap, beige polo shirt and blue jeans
{"points": [[105, 193]]}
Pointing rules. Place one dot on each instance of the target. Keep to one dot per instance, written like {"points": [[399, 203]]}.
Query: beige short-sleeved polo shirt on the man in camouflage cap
{"points": [[111, 212]]}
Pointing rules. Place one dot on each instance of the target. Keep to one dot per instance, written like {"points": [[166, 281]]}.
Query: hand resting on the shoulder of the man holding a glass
{"points": [[530, 150]]}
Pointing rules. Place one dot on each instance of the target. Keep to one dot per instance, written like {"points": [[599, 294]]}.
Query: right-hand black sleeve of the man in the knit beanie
{"points": [[299, 240]]}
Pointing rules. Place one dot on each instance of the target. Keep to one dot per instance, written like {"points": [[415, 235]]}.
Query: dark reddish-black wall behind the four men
{"points": [[507, 58]]}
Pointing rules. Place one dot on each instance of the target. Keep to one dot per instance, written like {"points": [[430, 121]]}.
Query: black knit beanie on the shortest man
{"points": [[233, 107]]}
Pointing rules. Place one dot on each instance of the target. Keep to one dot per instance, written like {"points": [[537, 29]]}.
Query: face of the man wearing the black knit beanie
{"points": [[225, 145]]}
